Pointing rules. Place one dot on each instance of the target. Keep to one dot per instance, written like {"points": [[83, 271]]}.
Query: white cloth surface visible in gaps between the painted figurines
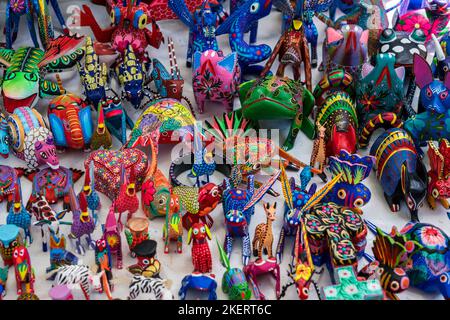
{"points": [[176, 266]]}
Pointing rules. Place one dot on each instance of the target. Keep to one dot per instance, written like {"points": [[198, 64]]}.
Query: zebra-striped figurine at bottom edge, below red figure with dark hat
{"points": [[152, 288]]}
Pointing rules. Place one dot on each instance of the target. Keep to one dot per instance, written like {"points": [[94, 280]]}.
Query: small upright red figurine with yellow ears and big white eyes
{"points": [[201, 255]]}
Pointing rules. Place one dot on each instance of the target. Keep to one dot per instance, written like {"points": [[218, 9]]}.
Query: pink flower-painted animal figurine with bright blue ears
{"points": [[215, 78]]}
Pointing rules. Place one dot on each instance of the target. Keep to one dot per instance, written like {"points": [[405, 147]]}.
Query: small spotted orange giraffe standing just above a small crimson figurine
{"points": [[263, 238]]}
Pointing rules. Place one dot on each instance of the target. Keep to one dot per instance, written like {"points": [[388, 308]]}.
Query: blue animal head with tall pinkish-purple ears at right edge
{"points": [[434, 94]]}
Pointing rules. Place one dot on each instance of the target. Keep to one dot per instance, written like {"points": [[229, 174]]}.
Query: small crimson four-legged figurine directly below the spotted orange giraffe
{"points": [[260, 267]]}
